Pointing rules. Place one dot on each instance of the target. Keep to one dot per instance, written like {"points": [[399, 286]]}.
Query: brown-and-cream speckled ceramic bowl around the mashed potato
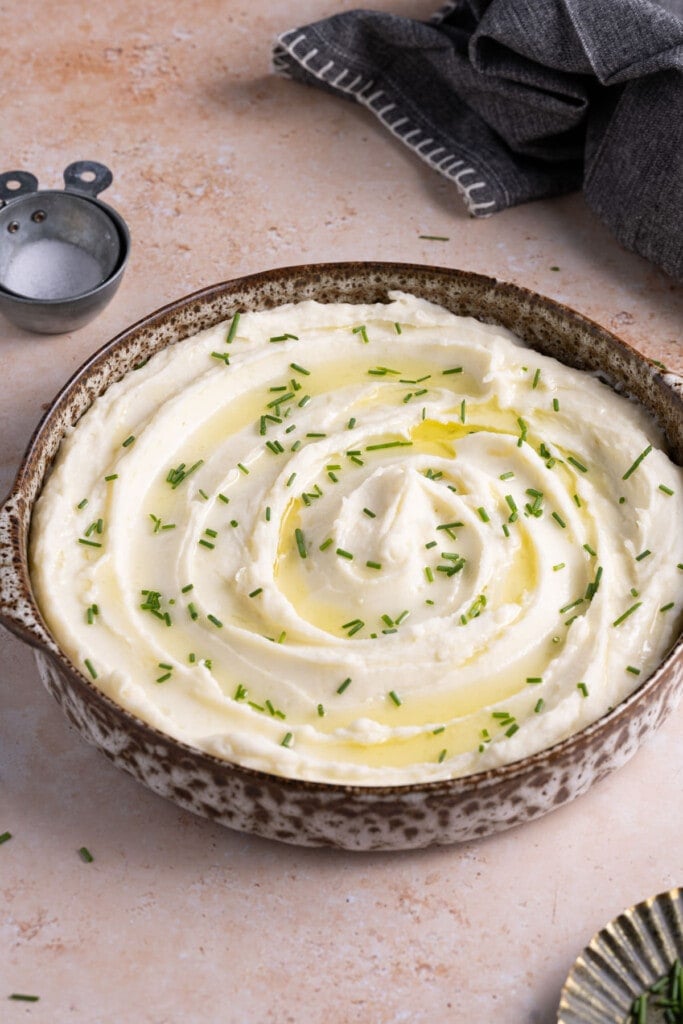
{"points": [[315, 814]]}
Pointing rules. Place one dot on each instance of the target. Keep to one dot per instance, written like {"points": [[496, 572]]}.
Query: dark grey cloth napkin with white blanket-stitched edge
{"points": [[519, 101]]}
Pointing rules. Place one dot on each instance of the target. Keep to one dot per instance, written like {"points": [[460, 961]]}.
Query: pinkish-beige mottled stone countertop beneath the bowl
{"points": [[223, 169]]}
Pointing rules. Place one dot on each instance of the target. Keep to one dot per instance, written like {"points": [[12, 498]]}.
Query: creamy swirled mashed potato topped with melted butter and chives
{"points": [[370, 544]]}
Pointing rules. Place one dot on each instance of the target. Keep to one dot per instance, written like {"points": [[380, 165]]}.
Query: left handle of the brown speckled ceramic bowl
{"points": [[17, 612]]}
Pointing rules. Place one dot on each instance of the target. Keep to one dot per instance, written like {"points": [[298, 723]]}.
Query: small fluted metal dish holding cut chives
{"points": [[623, 961]]}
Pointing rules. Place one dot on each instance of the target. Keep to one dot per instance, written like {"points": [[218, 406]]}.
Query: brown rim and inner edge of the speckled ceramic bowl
{"points": [[484, 297]]}
